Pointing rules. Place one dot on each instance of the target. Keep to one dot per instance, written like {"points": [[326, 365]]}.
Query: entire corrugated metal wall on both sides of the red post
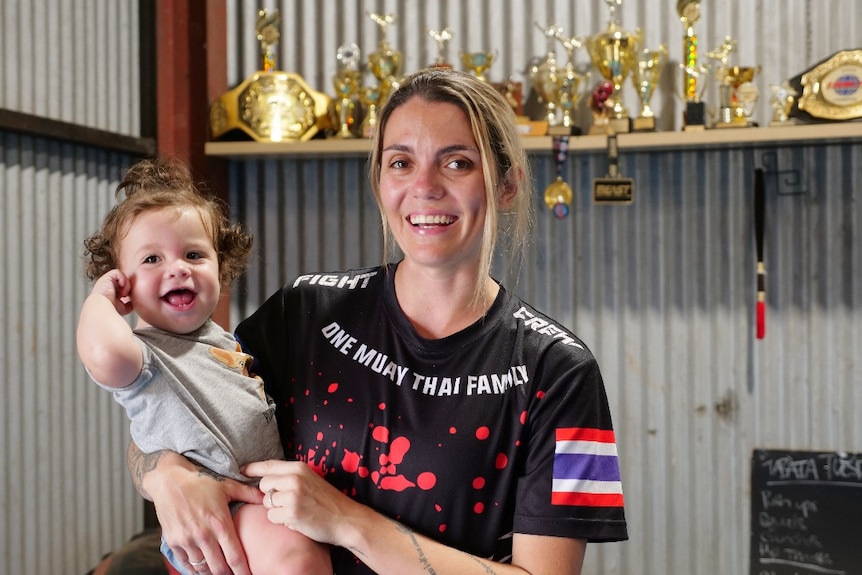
{"points": [[662, 290]]}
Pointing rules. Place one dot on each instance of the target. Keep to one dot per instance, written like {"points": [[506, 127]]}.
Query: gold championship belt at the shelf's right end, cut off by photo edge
{"points": [[831, 90]]}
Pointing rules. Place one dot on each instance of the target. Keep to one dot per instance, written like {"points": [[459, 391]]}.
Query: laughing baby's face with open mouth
{"points": [[173, 269]]}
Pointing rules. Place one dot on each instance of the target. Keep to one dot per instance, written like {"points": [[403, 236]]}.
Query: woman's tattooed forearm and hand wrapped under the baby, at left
{"points": [[192, 506]]}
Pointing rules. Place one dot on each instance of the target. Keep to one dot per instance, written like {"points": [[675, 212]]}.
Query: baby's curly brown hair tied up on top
{"points": [[158, 183]]}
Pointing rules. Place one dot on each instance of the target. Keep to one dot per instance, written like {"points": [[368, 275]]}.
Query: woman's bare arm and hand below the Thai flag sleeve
{"points": [[305, 502]]}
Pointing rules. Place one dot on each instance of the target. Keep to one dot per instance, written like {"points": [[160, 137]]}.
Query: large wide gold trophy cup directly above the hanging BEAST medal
{"points": [[613, 54]]}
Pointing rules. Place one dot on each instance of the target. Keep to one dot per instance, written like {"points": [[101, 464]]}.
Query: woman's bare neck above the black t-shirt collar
{"points": [[439, 305]]}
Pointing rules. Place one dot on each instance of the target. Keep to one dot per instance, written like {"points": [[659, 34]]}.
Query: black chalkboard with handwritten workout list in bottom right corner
{"points": [[806, 513]]}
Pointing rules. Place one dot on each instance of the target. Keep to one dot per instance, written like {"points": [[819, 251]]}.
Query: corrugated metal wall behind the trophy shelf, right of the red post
{"points": [[662, 290]]}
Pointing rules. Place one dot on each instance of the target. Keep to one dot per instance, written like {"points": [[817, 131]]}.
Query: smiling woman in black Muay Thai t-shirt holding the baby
{"points": [[441, 424]]}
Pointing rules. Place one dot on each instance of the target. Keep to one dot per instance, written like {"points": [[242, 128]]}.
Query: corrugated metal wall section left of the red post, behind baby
{"points": [[65, 495]]}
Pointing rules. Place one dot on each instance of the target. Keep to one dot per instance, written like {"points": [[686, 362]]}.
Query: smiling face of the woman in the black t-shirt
{"points": [[432, 188]]}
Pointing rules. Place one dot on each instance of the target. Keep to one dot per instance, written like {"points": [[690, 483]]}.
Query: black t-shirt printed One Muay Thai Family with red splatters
{"points": [[502, 427]]}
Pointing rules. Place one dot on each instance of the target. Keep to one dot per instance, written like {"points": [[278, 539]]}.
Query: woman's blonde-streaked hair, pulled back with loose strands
{"points": [[504, 161]]}
